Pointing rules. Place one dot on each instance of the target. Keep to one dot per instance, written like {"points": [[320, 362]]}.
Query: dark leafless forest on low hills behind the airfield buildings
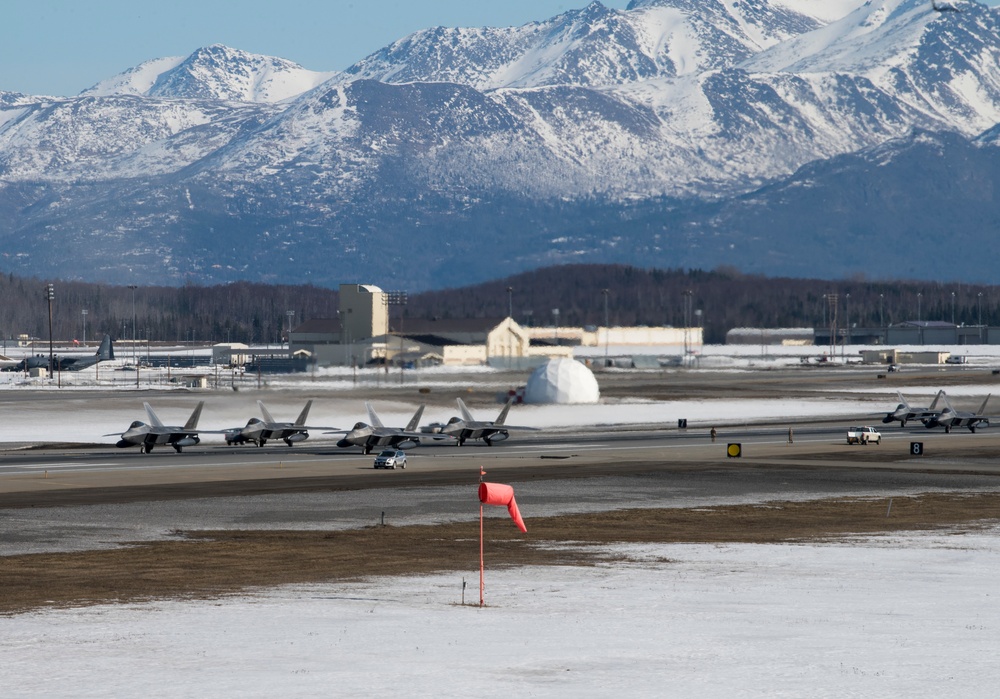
{"points": [[258, 313]]}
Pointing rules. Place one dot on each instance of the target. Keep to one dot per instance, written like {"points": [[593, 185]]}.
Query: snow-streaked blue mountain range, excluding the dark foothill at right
{"points": [[553, 137]]}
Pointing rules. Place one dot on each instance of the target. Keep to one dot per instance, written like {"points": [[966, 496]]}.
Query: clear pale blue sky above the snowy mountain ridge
{"points": [[60, 47]]}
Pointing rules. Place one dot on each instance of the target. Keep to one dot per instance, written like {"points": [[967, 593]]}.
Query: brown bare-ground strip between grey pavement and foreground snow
{"points": [[212, 564]]}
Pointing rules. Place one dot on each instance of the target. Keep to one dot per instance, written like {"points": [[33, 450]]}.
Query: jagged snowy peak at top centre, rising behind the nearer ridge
{"points": [[594, 46]]}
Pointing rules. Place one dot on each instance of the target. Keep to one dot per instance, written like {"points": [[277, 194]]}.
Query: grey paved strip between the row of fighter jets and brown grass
{"points": [[74, 499]]}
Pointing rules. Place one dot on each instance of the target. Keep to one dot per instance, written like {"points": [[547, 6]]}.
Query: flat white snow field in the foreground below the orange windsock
{"points": [[899, 616]]}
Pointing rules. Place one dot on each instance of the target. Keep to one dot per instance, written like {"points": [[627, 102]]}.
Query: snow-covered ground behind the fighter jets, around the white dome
{"points": [[32, 421]]}
